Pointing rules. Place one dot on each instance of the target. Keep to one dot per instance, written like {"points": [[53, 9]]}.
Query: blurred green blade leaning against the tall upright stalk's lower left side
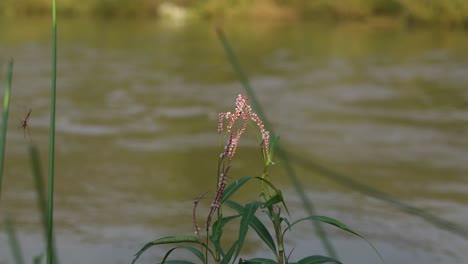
{"points": [[40, 191]]}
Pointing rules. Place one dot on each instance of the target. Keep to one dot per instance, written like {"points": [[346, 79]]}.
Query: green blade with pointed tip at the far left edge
{"points": [[6, 106]]}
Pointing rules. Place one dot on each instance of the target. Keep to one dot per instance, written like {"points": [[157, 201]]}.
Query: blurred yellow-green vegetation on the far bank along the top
{"points": [[427, 12]]}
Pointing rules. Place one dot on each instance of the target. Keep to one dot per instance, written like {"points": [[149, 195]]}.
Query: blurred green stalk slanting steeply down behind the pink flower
{"points": [[308, 205]]}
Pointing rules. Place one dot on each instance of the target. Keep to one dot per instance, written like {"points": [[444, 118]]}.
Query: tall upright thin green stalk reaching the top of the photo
{"points": [[50, 209]]}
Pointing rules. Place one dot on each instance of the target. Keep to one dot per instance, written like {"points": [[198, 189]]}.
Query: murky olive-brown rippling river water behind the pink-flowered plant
{"points": [[136, 136]]}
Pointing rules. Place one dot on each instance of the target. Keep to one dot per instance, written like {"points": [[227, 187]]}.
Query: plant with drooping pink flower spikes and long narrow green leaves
{"points": [[272, 202]]}
